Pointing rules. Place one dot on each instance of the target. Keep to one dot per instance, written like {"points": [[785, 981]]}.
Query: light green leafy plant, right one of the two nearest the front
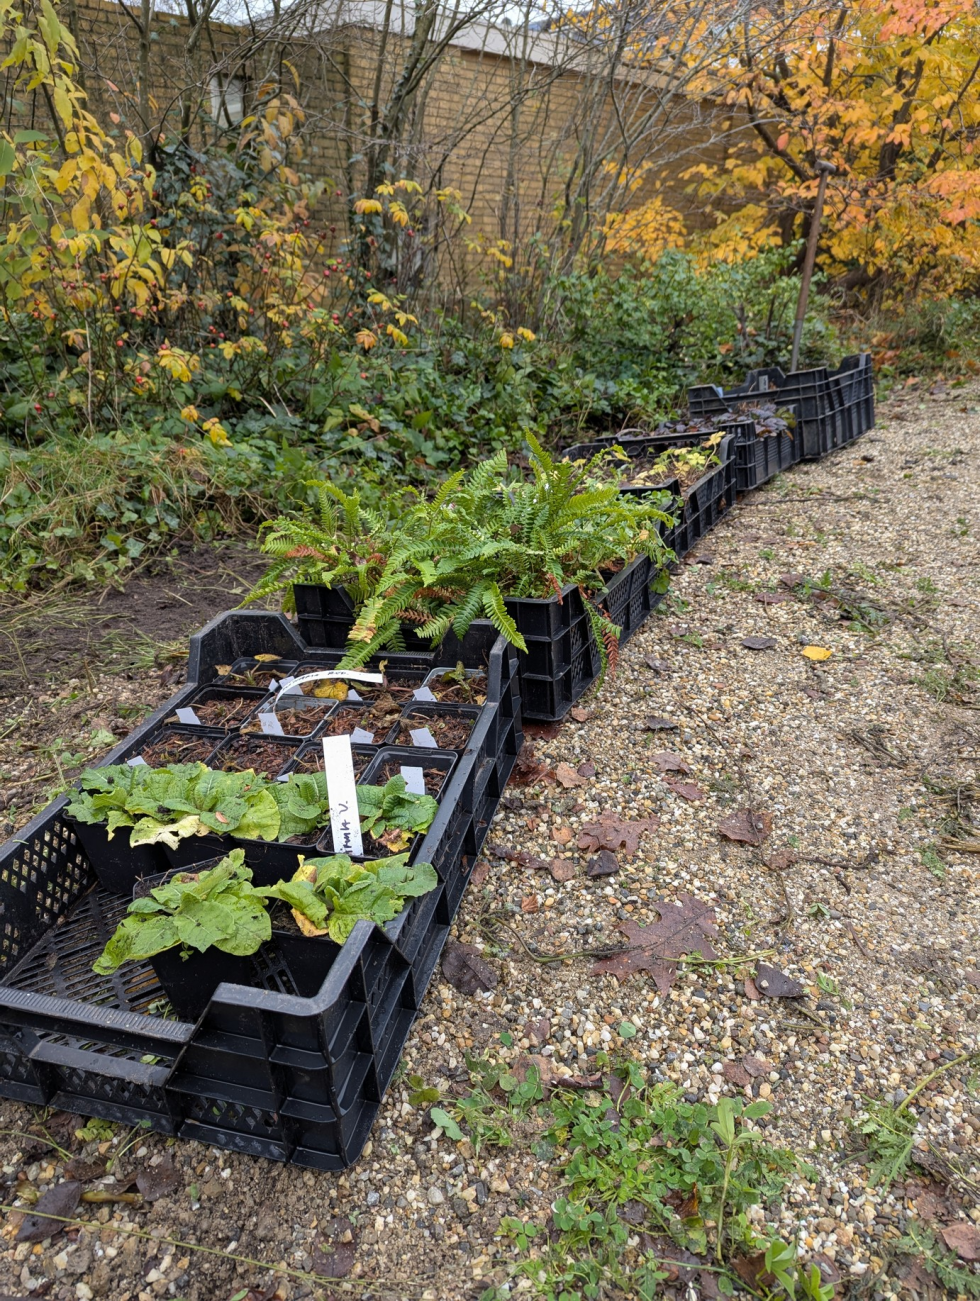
{"points": [[329, 897]]}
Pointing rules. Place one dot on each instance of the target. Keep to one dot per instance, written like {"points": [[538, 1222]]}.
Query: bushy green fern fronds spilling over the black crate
{"points": [[483, 538]]}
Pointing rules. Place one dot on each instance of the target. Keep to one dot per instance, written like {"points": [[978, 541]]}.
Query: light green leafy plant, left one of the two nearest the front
{"points": [[218, 909]]}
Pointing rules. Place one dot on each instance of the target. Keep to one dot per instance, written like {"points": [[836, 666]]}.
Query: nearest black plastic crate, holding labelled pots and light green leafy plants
{"points": [[264, 1071]]}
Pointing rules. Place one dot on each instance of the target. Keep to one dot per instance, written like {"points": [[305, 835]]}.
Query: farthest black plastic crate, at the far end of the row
{"points": [[834, 407]]}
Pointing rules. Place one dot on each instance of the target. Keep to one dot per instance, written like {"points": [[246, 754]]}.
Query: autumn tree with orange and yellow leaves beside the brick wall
{"points": [[890, 94]]}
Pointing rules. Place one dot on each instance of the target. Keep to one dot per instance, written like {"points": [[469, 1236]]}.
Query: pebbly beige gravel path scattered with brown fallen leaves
{"points": [[856, 893]]}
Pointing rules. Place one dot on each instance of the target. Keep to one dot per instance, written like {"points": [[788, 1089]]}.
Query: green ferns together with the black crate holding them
{"points": [[537, 555]]}
